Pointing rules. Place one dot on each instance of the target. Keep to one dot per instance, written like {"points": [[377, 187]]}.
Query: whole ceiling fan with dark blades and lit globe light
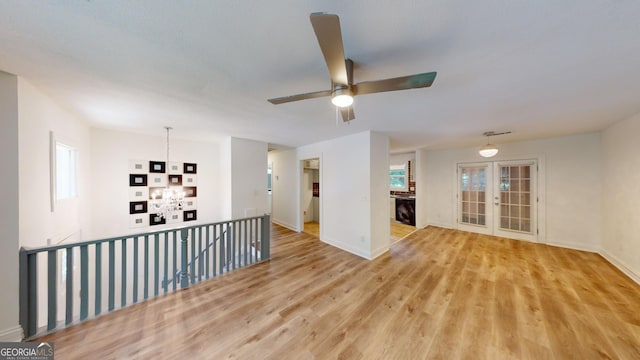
{"points": [[327, 29]]}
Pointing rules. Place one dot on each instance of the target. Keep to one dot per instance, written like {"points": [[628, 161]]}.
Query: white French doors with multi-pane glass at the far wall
{"points": [[498, 198]]}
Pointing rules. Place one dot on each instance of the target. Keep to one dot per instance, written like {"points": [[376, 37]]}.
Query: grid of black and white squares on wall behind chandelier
{"points": [[147, 177]]}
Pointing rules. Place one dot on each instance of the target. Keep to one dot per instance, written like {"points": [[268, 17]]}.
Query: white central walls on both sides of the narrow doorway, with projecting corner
{"points": [[354, 191]]}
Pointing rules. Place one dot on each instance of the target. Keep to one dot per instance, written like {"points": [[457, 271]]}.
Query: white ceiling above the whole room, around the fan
{"points": [[537, 68]]}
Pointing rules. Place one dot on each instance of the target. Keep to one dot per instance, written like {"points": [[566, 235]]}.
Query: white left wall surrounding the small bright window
{"points": [[38, 116]]}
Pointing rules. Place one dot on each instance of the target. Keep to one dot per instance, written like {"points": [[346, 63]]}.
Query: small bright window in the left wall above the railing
{"points": [[66, 172]]}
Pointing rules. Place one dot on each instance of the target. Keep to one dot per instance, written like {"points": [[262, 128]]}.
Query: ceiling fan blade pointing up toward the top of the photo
{"points": [[327, 29]]}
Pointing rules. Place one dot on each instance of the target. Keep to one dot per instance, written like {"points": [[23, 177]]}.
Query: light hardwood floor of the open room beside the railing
{"points": [[438, 294]]}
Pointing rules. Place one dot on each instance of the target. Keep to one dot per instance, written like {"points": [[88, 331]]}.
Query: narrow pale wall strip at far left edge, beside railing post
{"points": [[9, 221]]}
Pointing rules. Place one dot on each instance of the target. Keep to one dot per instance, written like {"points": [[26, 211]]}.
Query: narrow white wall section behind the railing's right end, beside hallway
{"points": [[248, 178]]}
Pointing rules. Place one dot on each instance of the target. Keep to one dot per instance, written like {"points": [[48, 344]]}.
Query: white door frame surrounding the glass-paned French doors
{"points": [[541, 191]]}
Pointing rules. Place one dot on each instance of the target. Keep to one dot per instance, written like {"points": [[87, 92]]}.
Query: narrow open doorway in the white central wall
{"points": [[311, 196]]}
